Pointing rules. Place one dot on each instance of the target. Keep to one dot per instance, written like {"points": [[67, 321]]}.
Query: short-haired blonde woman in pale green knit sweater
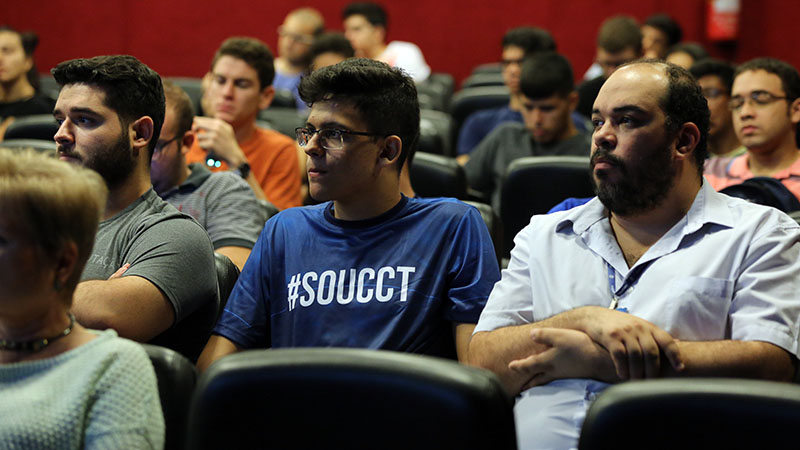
{"points": [[61, 385]]}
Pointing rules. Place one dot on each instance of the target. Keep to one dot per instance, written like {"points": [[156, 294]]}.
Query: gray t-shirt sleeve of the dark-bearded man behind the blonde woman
{"points": [[175, 254]]}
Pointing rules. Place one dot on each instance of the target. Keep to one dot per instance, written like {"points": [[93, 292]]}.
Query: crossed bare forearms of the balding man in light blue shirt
{"points": [[594, 342]]}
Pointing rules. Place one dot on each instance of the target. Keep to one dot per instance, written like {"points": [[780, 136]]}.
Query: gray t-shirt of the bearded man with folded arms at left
{"points": [[162, 245]]}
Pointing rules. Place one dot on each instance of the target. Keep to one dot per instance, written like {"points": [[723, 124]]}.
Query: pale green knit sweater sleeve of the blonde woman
{"points": [[126, 411]]}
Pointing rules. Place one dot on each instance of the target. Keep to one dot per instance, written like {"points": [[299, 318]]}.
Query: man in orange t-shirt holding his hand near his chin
{"points": [[240, 86]]}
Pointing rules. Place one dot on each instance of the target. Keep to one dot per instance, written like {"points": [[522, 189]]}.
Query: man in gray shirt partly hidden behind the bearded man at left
{"points": [[221, 202]]}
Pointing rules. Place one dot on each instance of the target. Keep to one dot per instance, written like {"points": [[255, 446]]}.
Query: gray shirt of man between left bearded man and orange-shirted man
{"points": [[223, 204]]}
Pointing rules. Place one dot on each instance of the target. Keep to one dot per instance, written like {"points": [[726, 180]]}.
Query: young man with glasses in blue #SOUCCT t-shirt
{"points": [[369, 267]]}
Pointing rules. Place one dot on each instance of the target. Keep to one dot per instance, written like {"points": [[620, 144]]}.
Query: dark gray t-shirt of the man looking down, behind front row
{"points": [[488, 162]]}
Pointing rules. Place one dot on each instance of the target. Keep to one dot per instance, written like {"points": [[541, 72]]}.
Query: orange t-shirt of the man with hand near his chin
{"points": [[273, 162]]}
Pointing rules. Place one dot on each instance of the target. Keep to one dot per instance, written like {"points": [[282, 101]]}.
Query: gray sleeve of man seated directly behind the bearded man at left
{"points": [[234, 216]]}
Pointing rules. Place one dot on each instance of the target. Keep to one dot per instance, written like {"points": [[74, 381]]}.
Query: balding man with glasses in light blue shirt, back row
{"points": [[295, 37]]}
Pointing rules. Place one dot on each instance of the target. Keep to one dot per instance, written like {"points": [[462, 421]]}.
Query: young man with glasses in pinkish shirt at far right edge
{"points": [[765, 103]]}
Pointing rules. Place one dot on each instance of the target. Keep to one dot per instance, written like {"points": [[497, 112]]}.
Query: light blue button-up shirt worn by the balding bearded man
{"points": [[727, 270]]}
